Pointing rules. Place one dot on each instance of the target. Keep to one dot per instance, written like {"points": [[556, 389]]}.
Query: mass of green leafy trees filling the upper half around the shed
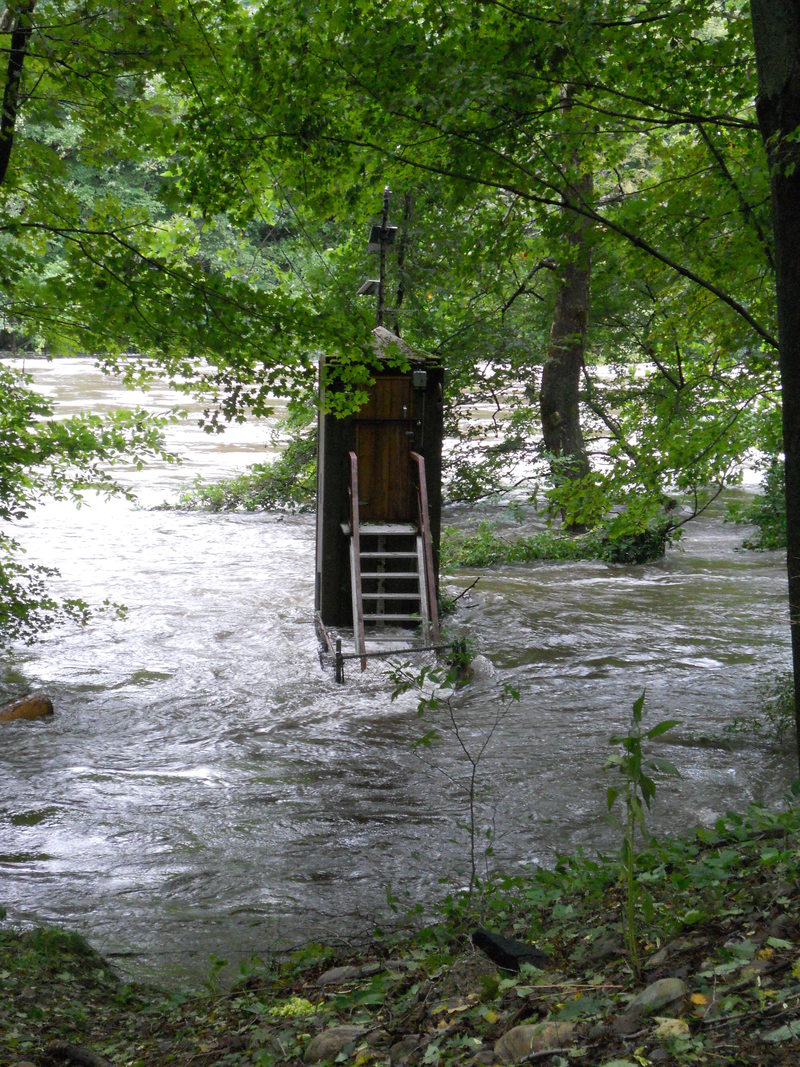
{"points": [[494, 118]]}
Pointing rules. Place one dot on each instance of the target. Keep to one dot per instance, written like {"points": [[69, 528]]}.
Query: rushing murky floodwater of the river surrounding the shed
{"points": [[205, 789]]}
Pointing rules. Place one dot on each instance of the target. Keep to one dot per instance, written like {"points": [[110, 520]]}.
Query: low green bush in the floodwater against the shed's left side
{"points": [[289, 484]]}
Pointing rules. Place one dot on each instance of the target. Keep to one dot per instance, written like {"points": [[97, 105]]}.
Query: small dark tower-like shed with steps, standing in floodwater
{"points": [[379, 500]]}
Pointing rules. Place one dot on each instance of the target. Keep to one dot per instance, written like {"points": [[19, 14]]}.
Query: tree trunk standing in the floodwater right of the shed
{"points": [[564, 364]]}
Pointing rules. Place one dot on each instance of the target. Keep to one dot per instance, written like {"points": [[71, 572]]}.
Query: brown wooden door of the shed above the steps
{"points": [[385, 434]]}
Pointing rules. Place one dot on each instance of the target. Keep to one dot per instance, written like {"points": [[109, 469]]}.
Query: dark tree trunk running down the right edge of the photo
{"points": [[777, 36]]}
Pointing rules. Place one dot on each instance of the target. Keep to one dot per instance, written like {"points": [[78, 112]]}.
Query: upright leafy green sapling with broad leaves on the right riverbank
{"points": [[637, 790]]}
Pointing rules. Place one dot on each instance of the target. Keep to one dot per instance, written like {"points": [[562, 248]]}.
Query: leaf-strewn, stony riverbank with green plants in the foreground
{"points": [[718, 928]]}
